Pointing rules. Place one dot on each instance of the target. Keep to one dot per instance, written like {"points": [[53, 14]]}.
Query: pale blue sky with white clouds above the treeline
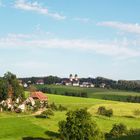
{"points": [[86, 37]]}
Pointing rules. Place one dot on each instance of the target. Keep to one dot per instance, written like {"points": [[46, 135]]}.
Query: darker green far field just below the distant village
{"points": [[98, 93]]}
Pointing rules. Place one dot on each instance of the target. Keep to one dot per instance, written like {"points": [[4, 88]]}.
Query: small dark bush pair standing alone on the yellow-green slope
{"points": [[106, 112]]}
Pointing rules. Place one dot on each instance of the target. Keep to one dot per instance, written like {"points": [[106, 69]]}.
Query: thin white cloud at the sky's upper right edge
{"points": [[126, 27]]}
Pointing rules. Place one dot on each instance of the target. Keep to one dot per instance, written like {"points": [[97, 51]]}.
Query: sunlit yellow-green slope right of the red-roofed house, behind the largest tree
{"points": [[123, 112]]}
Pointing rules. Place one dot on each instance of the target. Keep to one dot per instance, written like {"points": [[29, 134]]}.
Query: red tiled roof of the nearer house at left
{"points": [[39, 95]]}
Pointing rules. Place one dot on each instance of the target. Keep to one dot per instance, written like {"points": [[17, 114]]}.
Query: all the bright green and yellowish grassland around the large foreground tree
{"points": [[24, 126]]}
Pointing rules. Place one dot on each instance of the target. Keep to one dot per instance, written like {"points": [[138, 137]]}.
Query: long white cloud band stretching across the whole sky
{"points": [[116, 49]]}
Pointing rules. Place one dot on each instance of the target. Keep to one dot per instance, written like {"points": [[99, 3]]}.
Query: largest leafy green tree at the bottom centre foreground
{"points": [[79, 126]]}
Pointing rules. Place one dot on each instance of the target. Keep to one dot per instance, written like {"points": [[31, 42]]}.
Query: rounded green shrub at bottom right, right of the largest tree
{"points": [[118, 130]]}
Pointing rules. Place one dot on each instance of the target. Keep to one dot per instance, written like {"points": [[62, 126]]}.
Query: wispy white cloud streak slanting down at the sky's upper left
{"points": [[36, 7]]}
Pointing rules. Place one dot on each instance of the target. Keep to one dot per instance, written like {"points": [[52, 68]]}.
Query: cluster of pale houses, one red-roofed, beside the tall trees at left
{"points": [[22, 105]]}
